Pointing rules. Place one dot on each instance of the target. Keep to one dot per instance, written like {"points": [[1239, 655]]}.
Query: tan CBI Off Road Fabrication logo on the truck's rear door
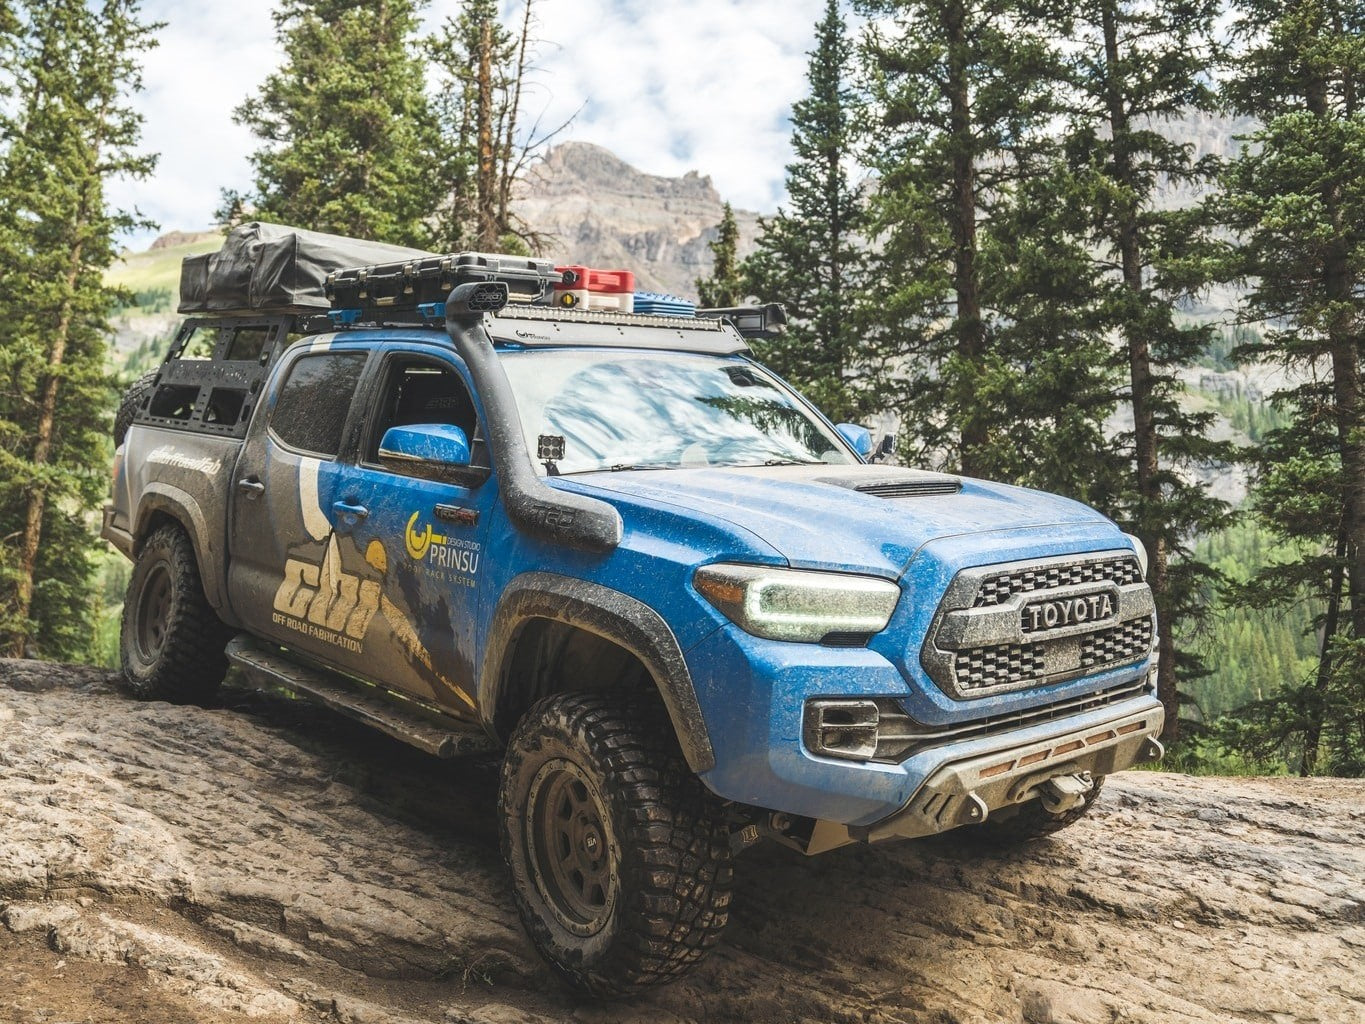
{"points": [[324, 601]]}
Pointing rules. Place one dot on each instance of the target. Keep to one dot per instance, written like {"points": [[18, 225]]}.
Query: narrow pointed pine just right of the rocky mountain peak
{"points": [[809, 256]]}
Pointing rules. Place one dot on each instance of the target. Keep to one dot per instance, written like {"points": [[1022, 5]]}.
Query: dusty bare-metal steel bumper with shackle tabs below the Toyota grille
{"points": [[966, 793]]}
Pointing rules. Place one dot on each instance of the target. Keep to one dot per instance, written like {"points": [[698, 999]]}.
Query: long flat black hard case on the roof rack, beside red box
{"points": [[413, 282]]}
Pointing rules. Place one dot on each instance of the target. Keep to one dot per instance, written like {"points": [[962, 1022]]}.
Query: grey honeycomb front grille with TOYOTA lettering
{"points": [[1003, 629]]}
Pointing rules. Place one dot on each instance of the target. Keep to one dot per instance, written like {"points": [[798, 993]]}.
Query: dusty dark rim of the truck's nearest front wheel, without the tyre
{"points": [[571, 849]]}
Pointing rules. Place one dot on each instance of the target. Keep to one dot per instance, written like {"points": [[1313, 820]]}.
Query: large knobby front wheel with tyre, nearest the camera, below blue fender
{"points": [[620, 858]]}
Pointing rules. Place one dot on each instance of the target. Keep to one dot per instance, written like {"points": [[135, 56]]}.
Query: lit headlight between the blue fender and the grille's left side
{"points": [[796, 604]]}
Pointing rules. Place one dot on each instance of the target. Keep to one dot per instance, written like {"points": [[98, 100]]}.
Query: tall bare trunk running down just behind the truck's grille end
{"points": [[1146, 439]]}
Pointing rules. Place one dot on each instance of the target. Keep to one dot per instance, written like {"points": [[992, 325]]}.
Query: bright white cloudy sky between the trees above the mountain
{"points": [[668, 85]]}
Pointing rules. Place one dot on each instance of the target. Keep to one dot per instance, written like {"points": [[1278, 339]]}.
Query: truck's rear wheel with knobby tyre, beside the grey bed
{"points": [[173, 644]]}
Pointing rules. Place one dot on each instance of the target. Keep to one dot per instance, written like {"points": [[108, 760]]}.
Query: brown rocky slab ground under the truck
{"points": [[268, 861]]}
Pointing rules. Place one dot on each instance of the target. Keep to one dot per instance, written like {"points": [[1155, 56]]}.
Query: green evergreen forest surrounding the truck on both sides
{"points": [[990, 242]]}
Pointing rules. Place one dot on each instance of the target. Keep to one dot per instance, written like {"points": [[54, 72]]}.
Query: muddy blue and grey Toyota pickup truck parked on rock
{"points": [[687, 611]]}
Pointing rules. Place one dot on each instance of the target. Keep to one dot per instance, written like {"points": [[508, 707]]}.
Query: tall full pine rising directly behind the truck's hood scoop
{"points": [[979, 268]]}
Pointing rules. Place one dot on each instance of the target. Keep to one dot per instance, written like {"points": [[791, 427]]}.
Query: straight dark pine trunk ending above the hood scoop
{"points": [[971, 330]]}
